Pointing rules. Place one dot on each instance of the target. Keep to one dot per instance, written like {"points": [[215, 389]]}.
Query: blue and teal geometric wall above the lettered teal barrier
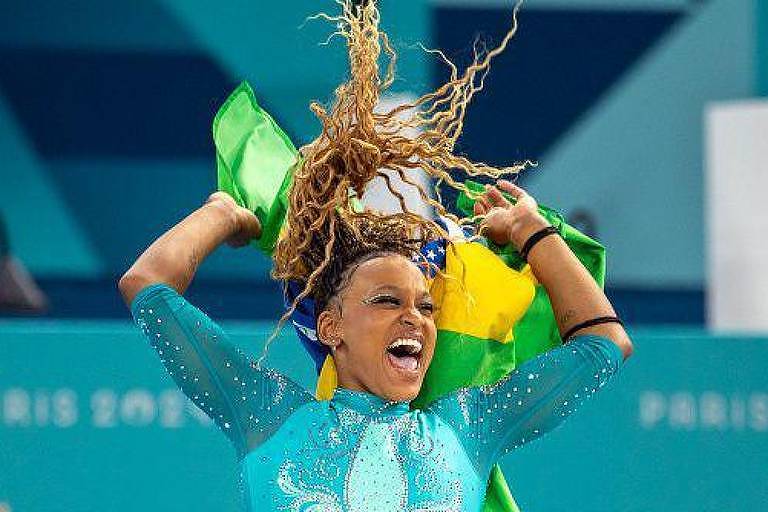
{"points": [[105, 112]]}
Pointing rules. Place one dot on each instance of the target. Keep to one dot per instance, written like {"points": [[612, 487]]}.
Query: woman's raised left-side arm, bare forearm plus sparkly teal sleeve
{"points": [[246, 402]]}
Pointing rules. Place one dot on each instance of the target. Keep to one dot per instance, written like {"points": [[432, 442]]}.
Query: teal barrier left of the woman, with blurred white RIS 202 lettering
{"points": [[90, 422]]}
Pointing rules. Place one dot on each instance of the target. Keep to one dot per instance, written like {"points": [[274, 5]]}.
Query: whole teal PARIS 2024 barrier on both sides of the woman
{"points": [[89, 422]]}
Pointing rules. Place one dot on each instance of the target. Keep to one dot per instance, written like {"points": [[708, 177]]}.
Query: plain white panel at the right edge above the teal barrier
{"points": [[736, 212]]}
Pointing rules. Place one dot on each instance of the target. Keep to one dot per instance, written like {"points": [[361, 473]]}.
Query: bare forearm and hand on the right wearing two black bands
{"points": [[574, 294]]}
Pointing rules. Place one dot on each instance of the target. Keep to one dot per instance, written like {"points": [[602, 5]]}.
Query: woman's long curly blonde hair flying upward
{"points": [[358, 144]]}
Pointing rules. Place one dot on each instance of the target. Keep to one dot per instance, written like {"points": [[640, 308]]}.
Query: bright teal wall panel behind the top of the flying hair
{"points": [[280, 51]]}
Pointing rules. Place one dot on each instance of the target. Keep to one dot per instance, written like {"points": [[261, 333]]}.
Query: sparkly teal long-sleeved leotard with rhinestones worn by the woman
{"points": [[358, 452]]}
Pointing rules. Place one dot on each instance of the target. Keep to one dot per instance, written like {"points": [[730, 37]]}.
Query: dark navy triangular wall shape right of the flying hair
{"points": [[560, 63]]}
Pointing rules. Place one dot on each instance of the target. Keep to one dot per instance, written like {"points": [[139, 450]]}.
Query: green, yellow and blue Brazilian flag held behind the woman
{"points": [[492, 314]]}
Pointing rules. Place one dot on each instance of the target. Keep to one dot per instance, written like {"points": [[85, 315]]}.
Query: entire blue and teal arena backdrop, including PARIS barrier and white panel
{"points": [[649, 122]]}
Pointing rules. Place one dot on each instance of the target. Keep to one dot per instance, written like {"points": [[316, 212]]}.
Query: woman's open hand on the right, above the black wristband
{"points": [[506, 222]]}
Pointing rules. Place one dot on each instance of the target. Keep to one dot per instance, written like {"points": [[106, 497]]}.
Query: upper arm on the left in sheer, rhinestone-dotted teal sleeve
{"points": [[246, 402]]}
